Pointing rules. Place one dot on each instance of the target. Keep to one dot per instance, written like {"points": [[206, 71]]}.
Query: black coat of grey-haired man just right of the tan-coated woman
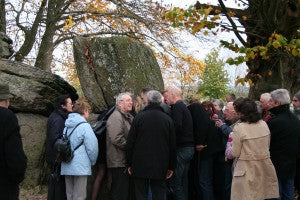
{"points": [[284, 145]]}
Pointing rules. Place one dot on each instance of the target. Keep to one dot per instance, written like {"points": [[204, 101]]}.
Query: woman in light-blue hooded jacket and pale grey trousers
{"points": [[85, 147]]}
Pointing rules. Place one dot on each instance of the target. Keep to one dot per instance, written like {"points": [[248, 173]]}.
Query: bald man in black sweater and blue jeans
{"points": [[184, 139]]}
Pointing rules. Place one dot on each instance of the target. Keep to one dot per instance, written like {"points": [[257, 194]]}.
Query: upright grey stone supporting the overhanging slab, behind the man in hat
{"points": [[33, 133]]}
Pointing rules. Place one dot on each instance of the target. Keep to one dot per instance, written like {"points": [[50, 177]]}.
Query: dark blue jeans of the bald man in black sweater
{"points": [[179, 181]]}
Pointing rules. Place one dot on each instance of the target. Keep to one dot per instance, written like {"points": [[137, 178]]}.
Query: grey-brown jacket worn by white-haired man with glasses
{"points": [[117, 128]]}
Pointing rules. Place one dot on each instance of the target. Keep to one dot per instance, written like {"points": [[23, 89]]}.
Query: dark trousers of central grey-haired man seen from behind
{"points": [[158, 188]]}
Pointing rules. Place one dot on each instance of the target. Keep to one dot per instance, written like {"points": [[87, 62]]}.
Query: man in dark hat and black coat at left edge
{"points": [[13, 161]]}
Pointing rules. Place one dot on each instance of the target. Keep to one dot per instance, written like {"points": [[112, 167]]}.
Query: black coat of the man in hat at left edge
{"points": [[13, 161]]}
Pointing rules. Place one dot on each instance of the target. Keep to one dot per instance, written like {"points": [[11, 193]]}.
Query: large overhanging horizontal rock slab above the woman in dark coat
{"points": [[34, 90]]}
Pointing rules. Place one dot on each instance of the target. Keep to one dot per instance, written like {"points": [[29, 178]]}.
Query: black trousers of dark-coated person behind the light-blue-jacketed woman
{"points": [[56, 185]]}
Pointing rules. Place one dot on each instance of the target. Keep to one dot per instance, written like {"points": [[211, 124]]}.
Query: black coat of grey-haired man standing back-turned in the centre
{"points": [[151, 144]]}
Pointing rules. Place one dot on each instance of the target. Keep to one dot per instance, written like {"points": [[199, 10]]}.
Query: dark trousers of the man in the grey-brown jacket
{"points": [[119, 184]]}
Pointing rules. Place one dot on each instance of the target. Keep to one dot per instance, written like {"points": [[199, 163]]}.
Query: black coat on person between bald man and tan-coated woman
{"points": [[205, 131]]}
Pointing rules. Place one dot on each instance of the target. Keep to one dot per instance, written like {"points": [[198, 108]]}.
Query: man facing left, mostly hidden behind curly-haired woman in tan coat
{"points": [[226, 128]]}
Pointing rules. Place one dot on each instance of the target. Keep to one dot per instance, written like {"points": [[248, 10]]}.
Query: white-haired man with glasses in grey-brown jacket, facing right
{"points": [[118, 125]]}
